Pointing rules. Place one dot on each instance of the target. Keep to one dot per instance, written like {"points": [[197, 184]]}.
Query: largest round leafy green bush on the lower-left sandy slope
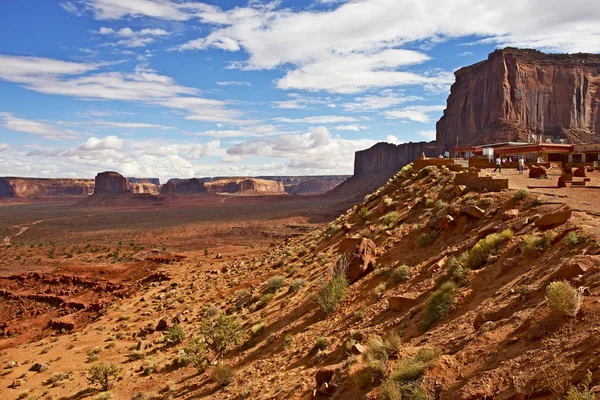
{"points": [[220, 334]]}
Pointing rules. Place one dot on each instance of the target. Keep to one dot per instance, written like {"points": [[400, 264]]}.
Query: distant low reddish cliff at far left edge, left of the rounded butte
{"points": [[37, 187]]}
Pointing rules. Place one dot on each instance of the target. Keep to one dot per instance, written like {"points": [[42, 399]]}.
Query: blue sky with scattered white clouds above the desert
{"points": [[169, 88]]}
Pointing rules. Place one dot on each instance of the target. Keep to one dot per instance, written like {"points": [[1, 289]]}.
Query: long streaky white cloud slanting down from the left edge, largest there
{"points": [[144, 86]]}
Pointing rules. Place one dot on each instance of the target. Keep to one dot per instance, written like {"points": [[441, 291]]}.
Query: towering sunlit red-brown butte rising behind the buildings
{"points": [[515, 93]]}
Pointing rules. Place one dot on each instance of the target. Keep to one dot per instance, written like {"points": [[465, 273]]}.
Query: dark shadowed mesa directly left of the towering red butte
{"points": [[387, 157]]}
